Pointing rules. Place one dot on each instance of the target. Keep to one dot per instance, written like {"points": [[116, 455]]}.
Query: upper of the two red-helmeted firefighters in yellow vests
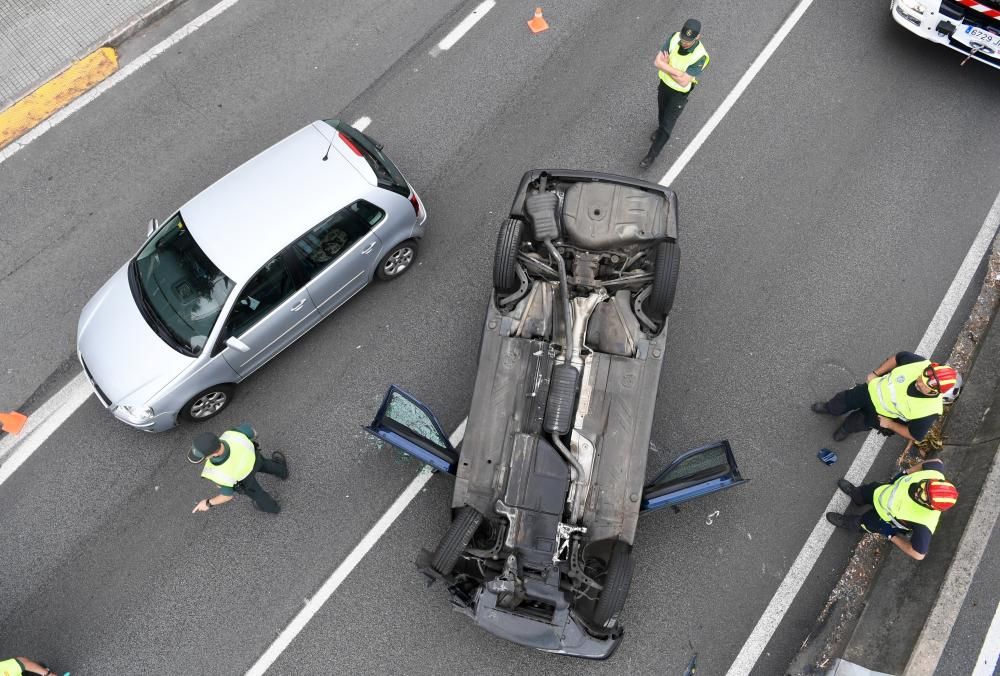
{"points": [[904, 396]]}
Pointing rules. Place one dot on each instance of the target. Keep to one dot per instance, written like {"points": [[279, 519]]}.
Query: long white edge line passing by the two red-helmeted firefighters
{"points": [[804, 562]]}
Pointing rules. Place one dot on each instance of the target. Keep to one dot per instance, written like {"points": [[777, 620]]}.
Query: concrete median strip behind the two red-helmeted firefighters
{"points": [[873, 622]]}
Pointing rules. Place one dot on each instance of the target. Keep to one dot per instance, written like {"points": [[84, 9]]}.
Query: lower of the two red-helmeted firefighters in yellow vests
{"points": [[910, 505]]}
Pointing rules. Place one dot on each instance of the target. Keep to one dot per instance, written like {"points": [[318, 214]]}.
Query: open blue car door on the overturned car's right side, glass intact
{"points": [[697, 472]]}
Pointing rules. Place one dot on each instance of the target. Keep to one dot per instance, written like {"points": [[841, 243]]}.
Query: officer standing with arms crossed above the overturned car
{"points": [[680, 61]]}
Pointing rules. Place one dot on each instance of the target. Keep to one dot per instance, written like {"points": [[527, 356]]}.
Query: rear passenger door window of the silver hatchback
{"points": [[330, 239]]}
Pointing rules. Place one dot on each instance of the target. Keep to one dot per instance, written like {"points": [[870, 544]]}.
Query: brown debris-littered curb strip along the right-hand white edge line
{"points": [[836, 625]]}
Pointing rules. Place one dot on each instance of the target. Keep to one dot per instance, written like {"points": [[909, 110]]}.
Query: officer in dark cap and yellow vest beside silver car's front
{"points": [[233, 460]]}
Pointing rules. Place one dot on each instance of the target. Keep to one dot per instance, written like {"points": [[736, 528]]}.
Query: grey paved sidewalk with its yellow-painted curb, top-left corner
{"points": [[42, 38]]}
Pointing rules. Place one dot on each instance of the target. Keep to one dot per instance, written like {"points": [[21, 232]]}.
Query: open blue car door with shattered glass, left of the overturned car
{"points": [[407, 424]]}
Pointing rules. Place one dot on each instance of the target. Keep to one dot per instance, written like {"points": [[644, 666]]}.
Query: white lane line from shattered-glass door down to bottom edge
{"points": [[299, 622]]}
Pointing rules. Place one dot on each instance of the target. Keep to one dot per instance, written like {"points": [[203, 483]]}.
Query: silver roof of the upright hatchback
{"points": [[242, 220]]}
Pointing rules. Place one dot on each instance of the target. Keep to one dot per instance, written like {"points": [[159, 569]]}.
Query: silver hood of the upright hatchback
{"points": [[127, 361]]}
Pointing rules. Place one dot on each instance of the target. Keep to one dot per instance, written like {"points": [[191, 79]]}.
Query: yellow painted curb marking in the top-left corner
{"points": [[56, 93]]}
